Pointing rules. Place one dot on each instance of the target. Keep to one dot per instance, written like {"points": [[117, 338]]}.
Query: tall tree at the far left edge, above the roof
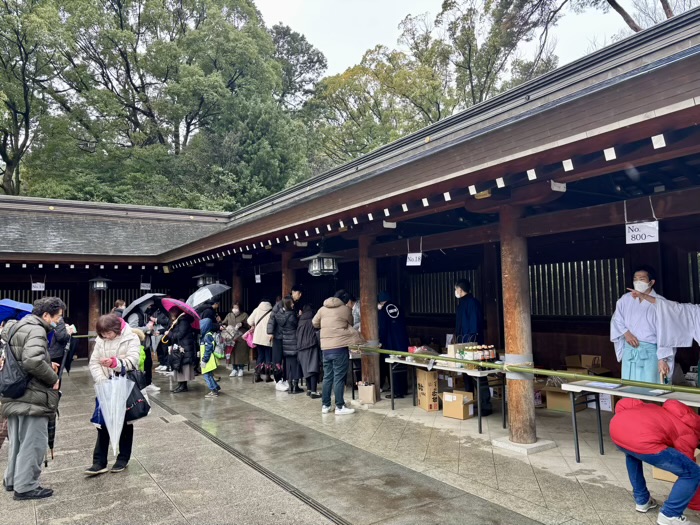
{"points": [[25, 64]]}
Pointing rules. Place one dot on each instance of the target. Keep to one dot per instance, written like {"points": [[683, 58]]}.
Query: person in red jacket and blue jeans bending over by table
{"points": [[665, 437]]}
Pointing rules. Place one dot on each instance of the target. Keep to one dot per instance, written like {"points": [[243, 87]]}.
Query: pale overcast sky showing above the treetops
{"points": [[344, 29]]}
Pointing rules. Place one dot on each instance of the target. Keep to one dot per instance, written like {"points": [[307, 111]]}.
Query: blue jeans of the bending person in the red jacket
{"points": [[683, 490]]}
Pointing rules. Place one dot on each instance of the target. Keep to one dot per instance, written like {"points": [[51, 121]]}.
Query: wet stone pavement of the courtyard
{"points": [[257, 456]]}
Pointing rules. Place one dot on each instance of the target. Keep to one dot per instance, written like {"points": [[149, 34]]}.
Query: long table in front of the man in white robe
{"points": [[581, 392]]}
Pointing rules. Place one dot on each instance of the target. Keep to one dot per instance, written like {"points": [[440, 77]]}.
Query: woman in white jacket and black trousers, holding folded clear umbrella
{"points": [[116, 346]]}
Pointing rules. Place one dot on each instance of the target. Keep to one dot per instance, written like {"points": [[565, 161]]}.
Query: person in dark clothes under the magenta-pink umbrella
{"points": [[180, 335]]}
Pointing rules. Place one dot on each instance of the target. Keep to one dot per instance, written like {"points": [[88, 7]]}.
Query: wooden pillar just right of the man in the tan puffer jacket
{"points": [[368, 312]]}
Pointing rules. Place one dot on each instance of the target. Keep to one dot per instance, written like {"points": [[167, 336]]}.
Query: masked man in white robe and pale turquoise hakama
{"points": [[633, 330]]}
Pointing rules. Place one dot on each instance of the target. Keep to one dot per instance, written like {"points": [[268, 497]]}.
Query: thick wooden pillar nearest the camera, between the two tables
{"points": [[518, 331]]}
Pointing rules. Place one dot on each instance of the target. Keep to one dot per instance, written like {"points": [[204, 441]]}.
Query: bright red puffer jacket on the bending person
{"points": [[645, 428]]}
